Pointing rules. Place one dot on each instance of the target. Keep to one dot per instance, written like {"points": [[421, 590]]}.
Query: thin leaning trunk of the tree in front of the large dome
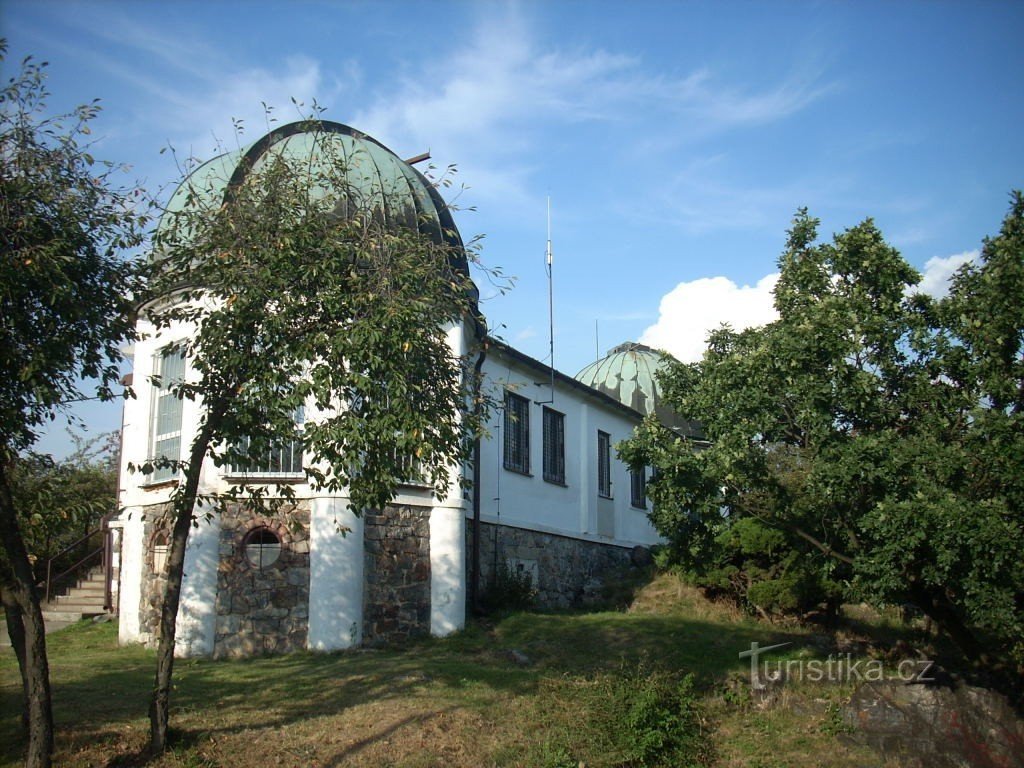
{"points": [[185, 506]]}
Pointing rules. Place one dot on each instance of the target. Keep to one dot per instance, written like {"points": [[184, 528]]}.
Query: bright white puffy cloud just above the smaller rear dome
{"points": [[692, 310]]}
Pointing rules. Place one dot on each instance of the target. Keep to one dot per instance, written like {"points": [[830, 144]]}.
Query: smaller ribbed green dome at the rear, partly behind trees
{"points": [[627, 374]]}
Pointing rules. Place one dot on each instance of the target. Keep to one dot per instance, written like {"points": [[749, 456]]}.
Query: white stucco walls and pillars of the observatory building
{"points": [[336, 587]]}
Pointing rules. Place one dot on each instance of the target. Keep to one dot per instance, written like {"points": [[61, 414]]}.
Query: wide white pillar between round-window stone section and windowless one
{"points": [[335, 576]]}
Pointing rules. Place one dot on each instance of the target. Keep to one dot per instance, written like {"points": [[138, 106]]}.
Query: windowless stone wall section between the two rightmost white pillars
{"points": [[397, 569]]}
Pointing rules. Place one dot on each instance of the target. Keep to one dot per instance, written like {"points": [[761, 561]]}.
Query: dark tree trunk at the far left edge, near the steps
{"points": [[21, 590]]}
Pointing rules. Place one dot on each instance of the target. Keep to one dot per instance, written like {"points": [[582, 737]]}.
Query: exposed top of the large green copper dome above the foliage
{"points": [[376, 180]]}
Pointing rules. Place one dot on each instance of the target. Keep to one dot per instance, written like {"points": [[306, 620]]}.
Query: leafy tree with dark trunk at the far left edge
{"points": [[65, 311]]}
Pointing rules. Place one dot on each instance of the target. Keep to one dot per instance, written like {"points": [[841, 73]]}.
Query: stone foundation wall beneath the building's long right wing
{"points": [[567, 573]]}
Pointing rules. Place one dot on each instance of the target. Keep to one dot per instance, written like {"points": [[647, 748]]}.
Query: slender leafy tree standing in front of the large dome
{"points": [[298, 297]]}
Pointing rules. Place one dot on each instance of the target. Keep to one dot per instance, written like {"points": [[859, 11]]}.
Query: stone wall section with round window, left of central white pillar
{"points": [[263, 610]]}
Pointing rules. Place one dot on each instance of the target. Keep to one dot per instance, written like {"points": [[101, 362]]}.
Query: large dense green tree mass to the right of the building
{"points": [[870, 439]]}
